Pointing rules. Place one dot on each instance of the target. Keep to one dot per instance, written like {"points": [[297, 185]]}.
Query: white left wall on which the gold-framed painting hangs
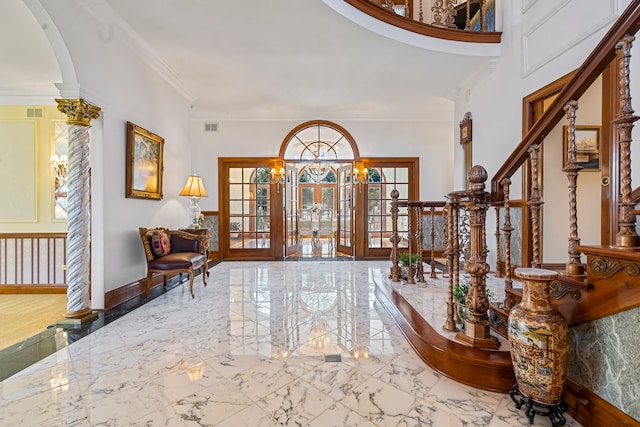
{"points": [[114, 77]]}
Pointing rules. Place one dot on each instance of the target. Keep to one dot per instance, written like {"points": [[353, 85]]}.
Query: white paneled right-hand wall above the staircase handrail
{"points": [[539, 44]]}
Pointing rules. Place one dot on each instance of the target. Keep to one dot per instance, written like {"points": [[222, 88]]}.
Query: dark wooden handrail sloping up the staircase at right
{"points": [[581, 80]]}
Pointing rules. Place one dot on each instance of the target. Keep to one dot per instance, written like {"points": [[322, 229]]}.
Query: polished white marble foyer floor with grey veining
{"points": [[264, 344]]}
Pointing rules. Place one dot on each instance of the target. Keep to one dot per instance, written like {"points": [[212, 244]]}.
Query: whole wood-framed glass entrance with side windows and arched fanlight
{"points": [[318, 198]]}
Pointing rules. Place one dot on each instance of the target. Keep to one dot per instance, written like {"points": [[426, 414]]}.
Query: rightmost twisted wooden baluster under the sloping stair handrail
{"points": [[627, 235]]}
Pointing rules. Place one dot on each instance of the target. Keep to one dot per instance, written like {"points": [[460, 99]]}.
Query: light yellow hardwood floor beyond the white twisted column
{"points": [[25, 315]]}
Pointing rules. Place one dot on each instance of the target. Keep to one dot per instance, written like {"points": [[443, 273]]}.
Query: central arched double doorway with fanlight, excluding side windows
{"points": [[319, 205]]}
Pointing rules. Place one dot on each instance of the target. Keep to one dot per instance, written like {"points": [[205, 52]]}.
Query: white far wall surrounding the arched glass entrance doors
{"points": [[431, 141]]}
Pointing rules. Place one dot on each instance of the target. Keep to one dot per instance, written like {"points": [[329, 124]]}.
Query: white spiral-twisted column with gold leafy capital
{"points": [[79, 114]]}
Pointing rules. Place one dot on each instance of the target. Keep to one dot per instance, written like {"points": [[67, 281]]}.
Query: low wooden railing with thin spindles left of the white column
{"points": [[33, 261]]}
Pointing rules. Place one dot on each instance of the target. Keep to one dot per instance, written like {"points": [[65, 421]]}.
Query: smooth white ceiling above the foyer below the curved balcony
{"points": [[262, 58]]}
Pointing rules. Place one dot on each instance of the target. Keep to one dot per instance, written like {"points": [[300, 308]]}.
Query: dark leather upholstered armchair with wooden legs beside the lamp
{"points": [[173, 251]]}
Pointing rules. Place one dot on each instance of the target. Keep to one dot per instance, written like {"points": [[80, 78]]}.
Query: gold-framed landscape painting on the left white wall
{"points": [[144, 163]]}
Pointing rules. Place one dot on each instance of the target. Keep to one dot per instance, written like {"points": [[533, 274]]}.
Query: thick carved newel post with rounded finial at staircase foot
{"points": [[476, 326]]}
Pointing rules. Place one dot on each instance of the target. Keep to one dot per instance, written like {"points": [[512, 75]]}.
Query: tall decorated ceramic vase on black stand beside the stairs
{"points": [[539, 340]]}
